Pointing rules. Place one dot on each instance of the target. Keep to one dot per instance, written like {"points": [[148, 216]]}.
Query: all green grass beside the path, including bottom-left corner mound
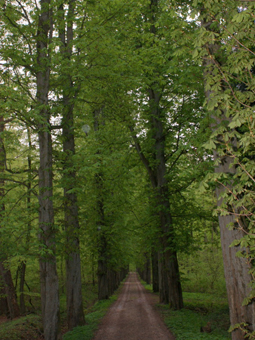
{"points": [[200, 308]]}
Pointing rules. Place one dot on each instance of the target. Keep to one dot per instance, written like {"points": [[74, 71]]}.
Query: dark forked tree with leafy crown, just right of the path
{"points": [[163, 118]]}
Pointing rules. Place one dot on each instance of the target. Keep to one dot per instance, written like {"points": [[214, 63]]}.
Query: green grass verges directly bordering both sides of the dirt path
{"points": [[200, 308]]}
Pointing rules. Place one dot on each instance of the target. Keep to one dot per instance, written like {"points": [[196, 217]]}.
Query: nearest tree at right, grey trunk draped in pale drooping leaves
{"points": [[228, 60]]}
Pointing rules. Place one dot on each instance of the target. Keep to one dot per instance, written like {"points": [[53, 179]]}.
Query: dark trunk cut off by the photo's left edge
{"points": [[9, 300]]}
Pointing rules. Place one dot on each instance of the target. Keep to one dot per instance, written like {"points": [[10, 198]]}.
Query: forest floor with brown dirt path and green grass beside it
{"points": [[132, 313]]}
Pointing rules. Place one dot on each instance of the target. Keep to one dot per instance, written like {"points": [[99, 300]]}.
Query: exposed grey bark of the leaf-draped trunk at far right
{"points": [[236, 269]]}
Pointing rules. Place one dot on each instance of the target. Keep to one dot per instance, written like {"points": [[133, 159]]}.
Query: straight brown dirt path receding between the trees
{"points": [[132, 316]]}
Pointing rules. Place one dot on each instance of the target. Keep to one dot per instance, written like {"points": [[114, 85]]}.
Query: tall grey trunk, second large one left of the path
{"points": [[75, 313]]}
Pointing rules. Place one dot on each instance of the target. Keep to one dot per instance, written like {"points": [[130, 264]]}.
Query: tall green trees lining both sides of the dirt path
{"points": [[102, 132]]}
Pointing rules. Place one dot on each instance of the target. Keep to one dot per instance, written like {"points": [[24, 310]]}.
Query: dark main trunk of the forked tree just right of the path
{"points": [[169, 254]]}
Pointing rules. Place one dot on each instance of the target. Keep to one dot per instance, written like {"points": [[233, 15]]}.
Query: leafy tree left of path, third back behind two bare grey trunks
{"points": [[104, 156]]}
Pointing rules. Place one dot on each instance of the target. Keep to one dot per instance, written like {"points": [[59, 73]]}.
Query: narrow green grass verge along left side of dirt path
{"points": [[92, 321]]}
